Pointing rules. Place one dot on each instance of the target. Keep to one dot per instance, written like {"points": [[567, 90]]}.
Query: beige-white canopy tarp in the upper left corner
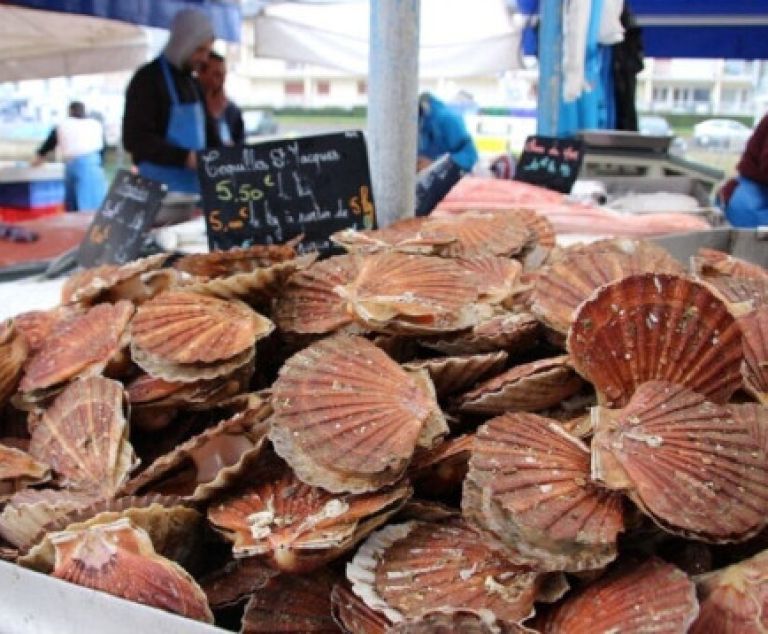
{"points": [[40, 44]]}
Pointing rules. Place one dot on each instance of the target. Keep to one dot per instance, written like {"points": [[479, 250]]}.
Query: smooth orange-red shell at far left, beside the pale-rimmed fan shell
{"points": [[79, 347]]}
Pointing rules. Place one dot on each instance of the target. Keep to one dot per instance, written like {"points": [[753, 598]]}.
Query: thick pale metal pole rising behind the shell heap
{"points": [[393, 60]]}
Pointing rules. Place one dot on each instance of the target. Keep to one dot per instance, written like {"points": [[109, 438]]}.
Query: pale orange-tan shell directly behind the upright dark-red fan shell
{"points": [[565, 284]]}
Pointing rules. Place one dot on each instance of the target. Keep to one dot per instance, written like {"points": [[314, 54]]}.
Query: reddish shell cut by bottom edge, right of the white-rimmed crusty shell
{"points": [[651, 597]]}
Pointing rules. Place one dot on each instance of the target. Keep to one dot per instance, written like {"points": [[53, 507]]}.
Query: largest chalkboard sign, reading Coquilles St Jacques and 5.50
{"points": [[270, 192]]}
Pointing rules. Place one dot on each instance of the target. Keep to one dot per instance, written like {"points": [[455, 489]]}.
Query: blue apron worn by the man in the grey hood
{"points": [[186, 129]]}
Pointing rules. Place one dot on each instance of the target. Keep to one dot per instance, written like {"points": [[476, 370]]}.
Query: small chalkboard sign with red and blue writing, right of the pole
{"points": [[550, 162]]}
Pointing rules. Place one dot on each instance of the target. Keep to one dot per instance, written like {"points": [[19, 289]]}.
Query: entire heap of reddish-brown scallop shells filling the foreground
{"points": [[454, 427]]}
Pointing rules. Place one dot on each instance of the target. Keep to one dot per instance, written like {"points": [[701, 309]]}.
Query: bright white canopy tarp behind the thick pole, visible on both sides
{"points": [[457, 38]]}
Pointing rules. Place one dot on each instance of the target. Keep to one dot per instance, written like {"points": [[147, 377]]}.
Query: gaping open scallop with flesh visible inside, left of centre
{"points": [[209, 462]]}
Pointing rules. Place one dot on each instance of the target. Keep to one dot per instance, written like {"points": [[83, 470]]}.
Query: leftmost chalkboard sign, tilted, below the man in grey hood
{"points": [[122, 222]]}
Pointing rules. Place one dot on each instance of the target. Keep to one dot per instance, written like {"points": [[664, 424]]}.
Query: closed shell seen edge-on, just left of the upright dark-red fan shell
{"points": [[527, 388]]}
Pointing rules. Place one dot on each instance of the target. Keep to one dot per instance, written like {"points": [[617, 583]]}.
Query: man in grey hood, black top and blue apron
{"points": [[165, 120]]}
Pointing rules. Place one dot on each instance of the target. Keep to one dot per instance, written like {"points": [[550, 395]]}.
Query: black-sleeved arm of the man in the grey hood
{"points": [[145, 122]]}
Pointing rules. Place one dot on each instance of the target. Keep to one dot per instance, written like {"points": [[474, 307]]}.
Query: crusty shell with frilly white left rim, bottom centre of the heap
{"points": [[405, 570]]}
